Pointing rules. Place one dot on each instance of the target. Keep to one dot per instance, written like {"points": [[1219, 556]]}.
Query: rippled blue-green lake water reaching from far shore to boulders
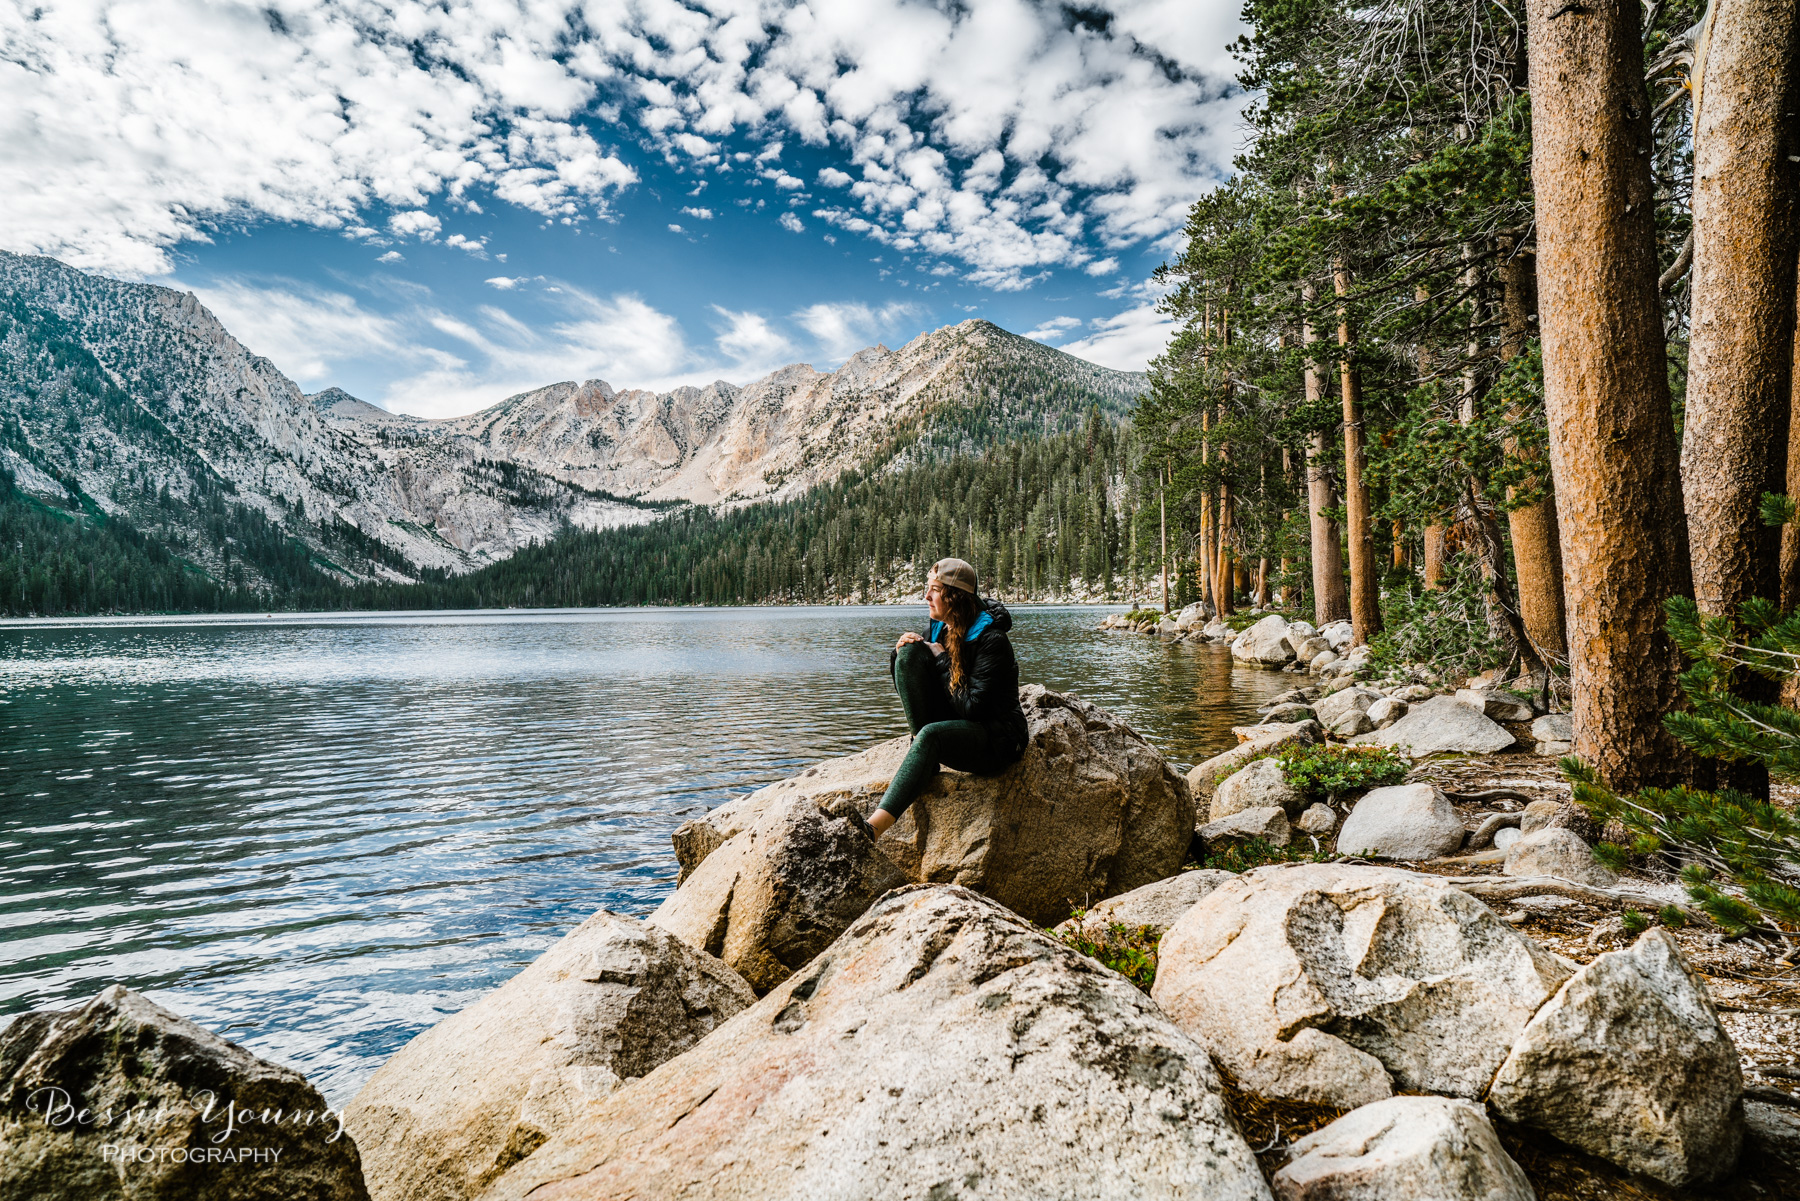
{"points": [[321, 835]]}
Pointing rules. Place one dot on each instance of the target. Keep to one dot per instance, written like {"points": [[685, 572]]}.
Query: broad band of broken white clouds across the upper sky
{"points": [[996, 134]]}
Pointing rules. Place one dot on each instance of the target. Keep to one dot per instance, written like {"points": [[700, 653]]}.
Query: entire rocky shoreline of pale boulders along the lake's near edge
{"points": [[1432, 991]]}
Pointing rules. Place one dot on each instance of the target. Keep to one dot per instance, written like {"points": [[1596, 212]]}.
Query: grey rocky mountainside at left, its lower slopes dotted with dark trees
{"points": [[134, 401]]}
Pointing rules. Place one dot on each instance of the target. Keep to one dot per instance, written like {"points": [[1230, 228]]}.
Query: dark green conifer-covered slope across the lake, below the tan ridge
{"points": [[1041, 518]]}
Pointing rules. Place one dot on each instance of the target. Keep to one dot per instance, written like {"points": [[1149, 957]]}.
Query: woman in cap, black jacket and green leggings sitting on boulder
{"points": [[958, 687]]}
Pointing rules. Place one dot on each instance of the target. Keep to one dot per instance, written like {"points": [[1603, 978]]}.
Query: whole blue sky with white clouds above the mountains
{"points": [[435, 206]]}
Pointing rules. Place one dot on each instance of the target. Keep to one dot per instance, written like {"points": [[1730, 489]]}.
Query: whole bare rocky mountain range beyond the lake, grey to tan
{"points": [[132, 401]]}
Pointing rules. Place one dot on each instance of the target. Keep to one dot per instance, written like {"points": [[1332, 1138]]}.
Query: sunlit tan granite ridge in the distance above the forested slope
{"points": [[949, 390]]}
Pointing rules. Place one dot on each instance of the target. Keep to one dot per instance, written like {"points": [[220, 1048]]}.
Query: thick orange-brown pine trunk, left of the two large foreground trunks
{"points": [[1606, 388]]}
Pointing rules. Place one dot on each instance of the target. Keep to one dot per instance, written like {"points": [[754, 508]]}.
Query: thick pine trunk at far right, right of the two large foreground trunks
{"points": [[1747, 235]]}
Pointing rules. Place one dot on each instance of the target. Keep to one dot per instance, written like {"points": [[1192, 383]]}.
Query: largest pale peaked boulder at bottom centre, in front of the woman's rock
{"points": [[942, 1047]]}
